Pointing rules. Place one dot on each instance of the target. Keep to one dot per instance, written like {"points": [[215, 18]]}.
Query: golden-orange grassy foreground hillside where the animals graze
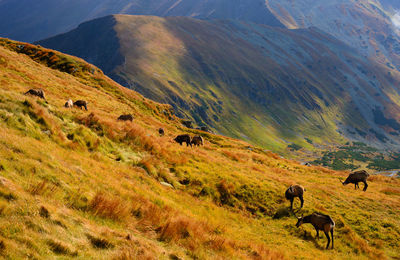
{"points": [[77, 184]]}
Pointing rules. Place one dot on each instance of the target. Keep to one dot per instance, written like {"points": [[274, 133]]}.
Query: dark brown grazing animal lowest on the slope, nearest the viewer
{"points": [[320, 222]]}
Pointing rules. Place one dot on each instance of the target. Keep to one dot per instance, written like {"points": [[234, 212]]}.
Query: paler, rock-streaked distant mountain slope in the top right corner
{"points": [[365, 25]]}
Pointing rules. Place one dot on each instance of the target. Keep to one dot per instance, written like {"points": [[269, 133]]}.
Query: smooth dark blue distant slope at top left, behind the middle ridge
{"points": [[28, 20]]}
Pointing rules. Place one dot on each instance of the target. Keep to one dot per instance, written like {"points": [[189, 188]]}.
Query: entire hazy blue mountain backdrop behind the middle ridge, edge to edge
{"points": [[366, 25]]}
